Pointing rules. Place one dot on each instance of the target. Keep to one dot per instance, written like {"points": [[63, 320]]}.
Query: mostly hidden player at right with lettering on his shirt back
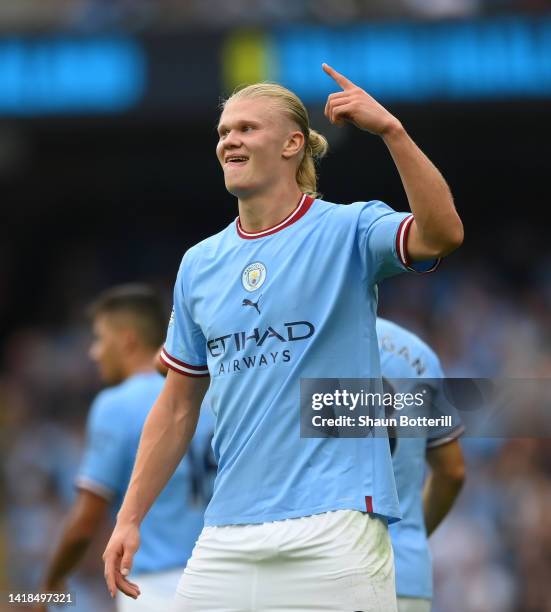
{"points": [[408, 363]]}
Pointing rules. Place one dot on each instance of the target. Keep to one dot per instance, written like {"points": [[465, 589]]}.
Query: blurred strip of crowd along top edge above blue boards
{"points": [[169, 14]]}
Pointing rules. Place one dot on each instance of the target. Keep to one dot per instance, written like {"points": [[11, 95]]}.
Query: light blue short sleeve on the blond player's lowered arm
{"points": [[185, 347]]}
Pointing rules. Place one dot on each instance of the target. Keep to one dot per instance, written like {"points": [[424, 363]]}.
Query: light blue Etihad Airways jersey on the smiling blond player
{"points": [[260, 311]]}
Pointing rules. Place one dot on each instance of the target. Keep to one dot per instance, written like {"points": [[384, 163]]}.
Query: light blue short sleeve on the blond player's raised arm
{"points": [[382, 239]]}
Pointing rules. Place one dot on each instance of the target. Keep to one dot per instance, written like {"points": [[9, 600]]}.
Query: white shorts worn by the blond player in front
{"points": [[331, 562]]}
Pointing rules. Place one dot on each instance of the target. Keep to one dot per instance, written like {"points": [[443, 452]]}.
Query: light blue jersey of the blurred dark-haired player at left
{"points": [[115, 422]]}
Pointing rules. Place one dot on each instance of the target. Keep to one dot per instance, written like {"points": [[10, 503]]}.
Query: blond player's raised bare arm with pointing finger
{"points": [[437, 229]]}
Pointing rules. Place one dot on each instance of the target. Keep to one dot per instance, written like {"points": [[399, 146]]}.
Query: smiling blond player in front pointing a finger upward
{"points": [[286, 291]]}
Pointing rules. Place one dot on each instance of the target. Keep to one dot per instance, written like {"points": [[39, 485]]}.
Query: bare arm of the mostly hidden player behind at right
{"points": [[444, 482]]}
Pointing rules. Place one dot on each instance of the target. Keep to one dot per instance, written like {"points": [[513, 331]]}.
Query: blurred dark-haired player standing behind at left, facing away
{"points": [[129, 323]]}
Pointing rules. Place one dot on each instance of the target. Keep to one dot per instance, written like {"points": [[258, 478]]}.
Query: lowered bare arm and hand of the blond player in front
{"points": [[164, 441]]}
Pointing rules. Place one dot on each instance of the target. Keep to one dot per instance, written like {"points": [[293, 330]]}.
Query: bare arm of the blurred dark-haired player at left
{"points": [[79, 529]]}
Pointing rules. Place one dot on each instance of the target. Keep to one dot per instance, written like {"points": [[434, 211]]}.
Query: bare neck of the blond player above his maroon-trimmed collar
{"points": [[258, 212]]}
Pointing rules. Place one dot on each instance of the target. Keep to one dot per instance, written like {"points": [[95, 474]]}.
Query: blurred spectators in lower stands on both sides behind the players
{"points": [[496, 540]]}
